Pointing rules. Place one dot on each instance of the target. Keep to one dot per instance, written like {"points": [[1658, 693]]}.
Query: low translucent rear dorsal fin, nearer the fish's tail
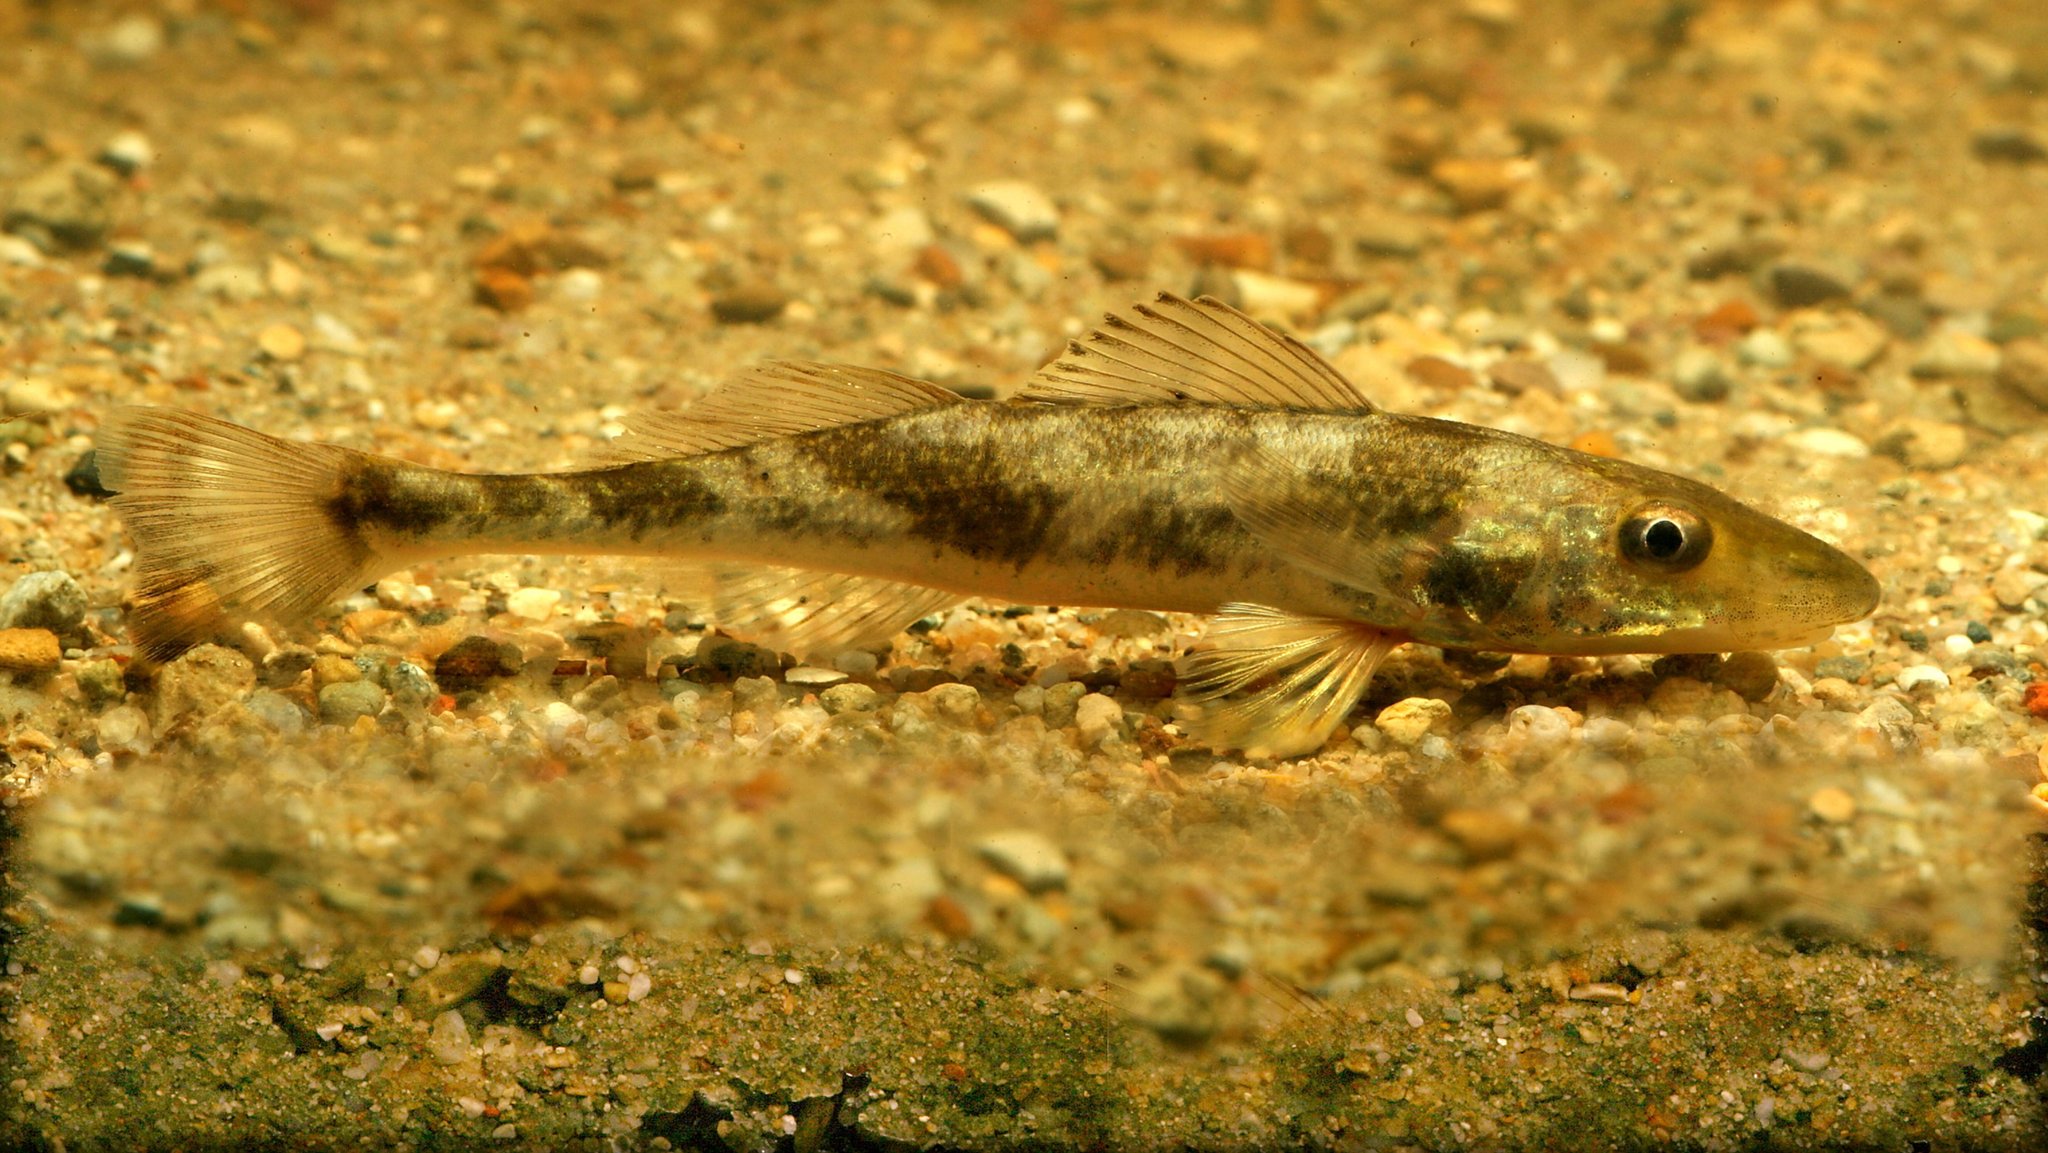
{"points": [[777, 398]]}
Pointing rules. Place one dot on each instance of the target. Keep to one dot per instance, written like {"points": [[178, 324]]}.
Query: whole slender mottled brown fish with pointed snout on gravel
{"points": [[1181, 458]]}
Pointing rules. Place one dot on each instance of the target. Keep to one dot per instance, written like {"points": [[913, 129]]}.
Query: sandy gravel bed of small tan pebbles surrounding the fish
{"points": [[521, 853]]}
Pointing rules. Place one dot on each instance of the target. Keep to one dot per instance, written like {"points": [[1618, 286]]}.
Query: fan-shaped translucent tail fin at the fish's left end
{"points": [[226, 521]]}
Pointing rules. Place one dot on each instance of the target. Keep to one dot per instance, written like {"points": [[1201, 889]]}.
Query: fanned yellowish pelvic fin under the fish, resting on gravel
{"points": [[1299, 679]]}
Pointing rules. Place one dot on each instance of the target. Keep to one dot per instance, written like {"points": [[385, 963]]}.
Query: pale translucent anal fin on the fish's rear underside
{"points": [[816, 613]]}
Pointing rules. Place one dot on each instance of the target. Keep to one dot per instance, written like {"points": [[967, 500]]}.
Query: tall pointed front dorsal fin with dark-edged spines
{"points": [[1199, 351]]}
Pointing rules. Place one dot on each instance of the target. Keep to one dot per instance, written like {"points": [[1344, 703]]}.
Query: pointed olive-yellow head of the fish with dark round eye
{"points": [[1598, 556]]}
